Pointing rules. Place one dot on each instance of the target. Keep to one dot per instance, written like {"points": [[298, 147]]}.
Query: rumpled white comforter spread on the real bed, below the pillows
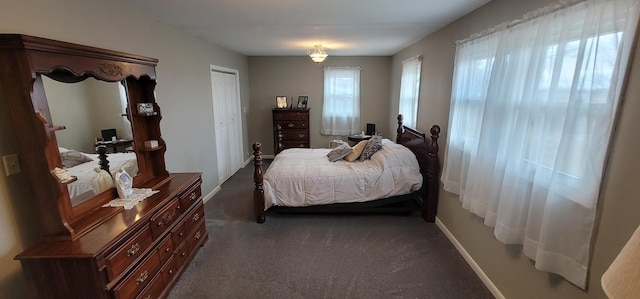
{"points": [[304, 177]]}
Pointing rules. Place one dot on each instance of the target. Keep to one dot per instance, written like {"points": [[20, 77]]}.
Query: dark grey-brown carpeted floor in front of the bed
{"points": [[321, 256]]}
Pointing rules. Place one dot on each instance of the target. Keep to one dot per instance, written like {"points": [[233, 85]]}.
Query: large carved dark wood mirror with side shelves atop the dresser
{"points": [[40, 127]]}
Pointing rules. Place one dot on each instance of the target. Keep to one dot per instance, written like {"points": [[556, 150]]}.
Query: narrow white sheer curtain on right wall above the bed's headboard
{"points": [[410, 90]]}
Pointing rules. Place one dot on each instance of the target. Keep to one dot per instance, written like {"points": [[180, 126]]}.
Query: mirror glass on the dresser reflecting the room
{"points": [[89, 109]]}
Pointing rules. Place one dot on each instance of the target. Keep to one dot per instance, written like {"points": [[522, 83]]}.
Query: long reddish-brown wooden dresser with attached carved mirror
{"points": [[60, 96]]}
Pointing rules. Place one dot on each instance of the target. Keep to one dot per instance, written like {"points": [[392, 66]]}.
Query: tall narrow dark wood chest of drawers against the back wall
{"points": [[290, 129]]}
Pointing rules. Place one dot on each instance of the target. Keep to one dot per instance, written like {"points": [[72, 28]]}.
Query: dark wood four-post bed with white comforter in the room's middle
{"points": [[399, 178]]}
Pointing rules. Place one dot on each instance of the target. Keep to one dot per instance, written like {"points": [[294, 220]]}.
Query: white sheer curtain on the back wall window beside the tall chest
{"points": [[341, 105]]}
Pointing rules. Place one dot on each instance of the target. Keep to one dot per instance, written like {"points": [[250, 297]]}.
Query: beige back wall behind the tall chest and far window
{"points": [[295, 76]]}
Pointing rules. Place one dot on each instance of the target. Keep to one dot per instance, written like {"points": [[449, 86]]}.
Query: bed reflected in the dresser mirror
{"points": [[81, 165]]}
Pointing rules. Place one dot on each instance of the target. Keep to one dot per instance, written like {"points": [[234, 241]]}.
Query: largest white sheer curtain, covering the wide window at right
{"points": [[532, 109]]}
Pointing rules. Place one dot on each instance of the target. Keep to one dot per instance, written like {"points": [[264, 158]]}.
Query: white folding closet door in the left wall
{"points": [[228, 126]]}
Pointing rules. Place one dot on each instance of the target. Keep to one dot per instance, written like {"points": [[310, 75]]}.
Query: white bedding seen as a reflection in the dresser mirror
{"points": [[82, 188]]}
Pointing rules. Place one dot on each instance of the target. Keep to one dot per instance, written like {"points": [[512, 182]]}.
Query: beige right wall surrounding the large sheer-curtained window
{"points": [[513, 273]]}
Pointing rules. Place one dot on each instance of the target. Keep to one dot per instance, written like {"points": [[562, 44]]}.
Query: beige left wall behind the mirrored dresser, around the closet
{"points": [[183, 93]]}
